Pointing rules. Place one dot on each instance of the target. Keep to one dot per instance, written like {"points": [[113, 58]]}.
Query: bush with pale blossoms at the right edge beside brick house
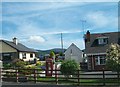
{"points": [[113, 57]]}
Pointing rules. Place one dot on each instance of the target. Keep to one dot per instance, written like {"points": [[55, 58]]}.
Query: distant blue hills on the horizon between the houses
{"points": [[56, 50]]}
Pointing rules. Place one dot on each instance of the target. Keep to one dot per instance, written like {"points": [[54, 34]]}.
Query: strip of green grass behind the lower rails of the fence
{"points": [[75, 81]]}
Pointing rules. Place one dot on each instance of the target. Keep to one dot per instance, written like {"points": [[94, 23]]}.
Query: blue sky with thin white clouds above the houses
{"points": [[39, 25]]}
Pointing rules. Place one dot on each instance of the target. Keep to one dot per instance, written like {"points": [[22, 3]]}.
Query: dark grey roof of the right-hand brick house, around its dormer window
{"points": [[91, 47]]}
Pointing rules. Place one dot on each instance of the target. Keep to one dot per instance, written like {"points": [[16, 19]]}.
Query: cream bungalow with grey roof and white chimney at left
{"points": [[11, 50]]}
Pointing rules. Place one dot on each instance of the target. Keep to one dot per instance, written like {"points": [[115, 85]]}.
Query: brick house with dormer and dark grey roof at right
{"points": [[95, 48]]}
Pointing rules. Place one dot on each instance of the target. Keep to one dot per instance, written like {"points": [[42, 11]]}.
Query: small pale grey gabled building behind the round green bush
{"points": [[74, 53]]}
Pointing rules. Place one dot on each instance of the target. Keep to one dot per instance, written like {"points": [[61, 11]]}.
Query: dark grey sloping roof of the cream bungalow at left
{"points": [[19, 46]]}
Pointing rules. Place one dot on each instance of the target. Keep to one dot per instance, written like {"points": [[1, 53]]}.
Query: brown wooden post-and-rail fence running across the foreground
{"points": [[101, 77]]}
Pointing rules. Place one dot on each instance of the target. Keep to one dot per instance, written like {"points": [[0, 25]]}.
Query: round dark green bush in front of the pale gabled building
{"points": [[69, 67]]}
